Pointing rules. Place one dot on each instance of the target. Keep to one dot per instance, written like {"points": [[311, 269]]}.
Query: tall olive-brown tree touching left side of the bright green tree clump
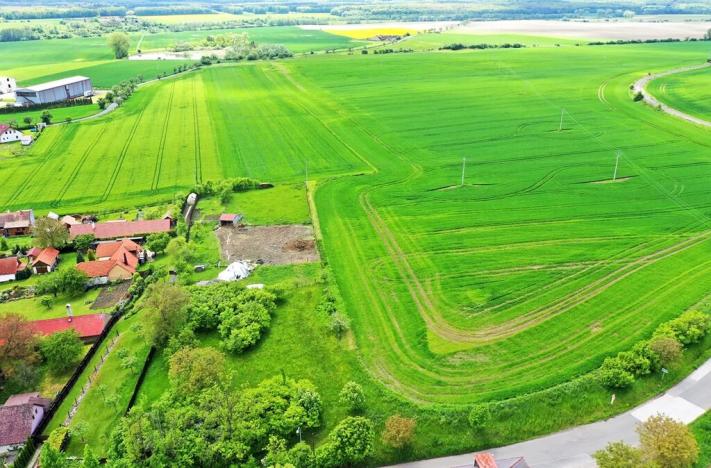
{"points": [[166, 315]]}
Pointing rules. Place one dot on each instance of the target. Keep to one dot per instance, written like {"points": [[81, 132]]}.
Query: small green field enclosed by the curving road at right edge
{"points": [[689, 92]]}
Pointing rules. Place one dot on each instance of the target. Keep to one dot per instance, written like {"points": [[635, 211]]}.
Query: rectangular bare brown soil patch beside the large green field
{"points": [[268, 244]]}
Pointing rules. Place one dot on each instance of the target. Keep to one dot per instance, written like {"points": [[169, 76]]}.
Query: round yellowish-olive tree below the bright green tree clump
{"points": [[195, 369]]}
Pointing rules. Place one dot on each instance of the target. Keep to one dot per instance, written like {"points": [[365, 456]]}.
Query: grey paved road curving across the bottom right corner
{"points": [[573, 448]]}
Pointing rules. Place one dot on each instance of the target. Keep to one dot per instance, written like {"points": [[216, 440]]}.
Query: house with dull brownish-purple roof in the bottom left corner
{"points": [[19, 417]]}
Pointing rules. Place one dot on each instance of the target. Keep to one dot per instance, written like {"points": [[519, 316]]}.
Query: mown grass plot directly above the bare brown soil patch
{"points": [[282, 204]]}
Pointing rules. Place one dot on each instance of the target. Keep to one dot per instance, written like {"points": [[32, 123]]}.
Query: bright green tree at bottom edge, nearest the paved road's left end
{"points": [[350, 443]]}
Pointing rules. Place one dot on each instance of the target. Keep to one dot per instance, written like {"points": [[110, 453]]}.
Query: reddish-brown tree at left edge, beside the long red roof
{"points": [[17, 345]]}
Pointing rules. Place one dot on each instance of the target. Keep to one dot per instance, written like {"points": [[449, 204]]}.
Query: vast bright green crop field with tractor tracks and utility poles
{"points": [[528, 274]]}
